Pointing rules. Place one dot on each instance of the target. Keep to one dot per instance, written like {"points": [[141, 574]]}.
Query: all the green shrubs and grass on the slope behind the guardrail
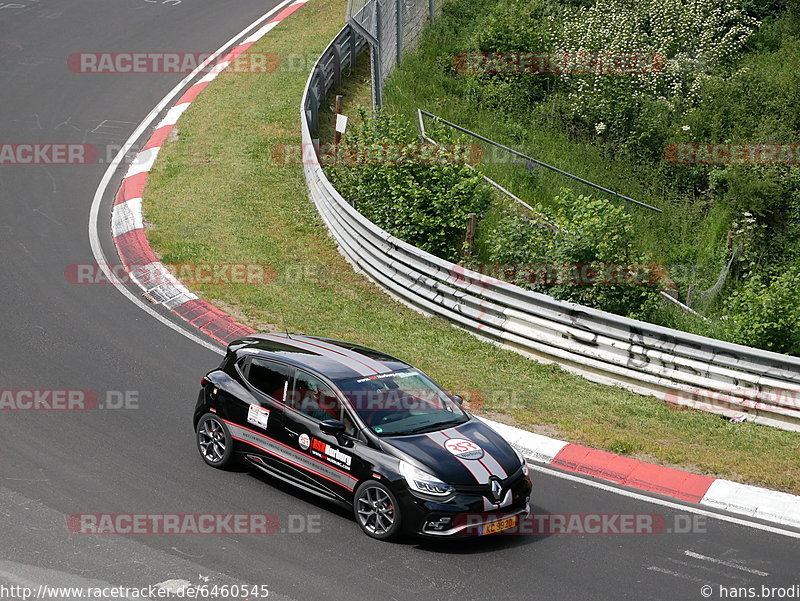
{"points": [[727, 79]]}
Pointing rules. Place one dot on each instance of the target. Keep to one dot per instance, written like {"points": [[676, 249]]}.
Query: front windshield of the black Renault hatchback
{"points": [[401, 402]]}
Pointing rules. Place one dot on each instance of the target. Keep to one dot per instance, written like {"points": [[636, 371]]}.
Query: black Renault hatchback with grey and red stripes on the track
{"points": [[364, 429]]}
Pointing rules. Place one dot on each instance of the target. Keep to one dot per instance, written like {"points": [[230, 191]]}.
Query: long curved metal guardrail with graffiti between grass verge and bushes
{"points": [[675, 366]]}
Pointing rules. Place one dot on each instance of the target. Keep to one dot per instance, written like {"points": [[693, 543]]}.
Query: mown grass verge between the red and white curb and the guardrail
{"points": [[216, 194]]}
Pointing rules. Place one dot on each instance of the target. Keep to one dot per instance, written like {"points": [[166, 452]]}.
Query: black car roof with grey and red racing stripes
{"points": [[334, 359]]}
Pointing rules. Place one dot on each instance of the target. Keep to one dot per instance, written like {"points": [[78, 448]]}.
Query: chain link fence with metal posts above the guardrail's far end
{"points": [[390, 27]]}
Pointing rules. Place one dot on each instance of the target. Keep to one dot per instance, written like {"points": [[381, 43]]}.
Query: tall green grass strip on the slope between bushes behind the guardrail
{"points": [[688, 238]]}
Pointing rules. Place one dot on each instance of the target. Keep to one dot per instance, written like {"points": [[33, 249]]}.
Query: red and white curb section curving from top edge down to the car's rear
{"points": [[127, 224]]}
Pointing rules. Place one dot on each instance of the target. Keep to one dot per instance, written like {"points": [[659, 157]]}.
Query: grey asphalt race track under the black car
{"points": [[142, 459]]}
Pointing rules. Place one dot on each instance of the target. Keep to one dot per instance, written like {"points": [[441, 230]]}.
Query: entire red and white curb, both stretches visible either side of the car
{"points": [[153, 278]]}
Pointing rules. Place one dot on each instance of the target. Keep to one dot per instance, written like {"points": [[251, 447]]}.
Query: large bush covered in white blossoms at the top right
{"points": [[695, 37]]}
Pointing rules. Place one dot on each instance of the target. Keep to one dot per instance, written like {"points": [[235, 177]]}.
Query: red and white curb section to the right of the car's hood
{"points": [[751, 501]]}
